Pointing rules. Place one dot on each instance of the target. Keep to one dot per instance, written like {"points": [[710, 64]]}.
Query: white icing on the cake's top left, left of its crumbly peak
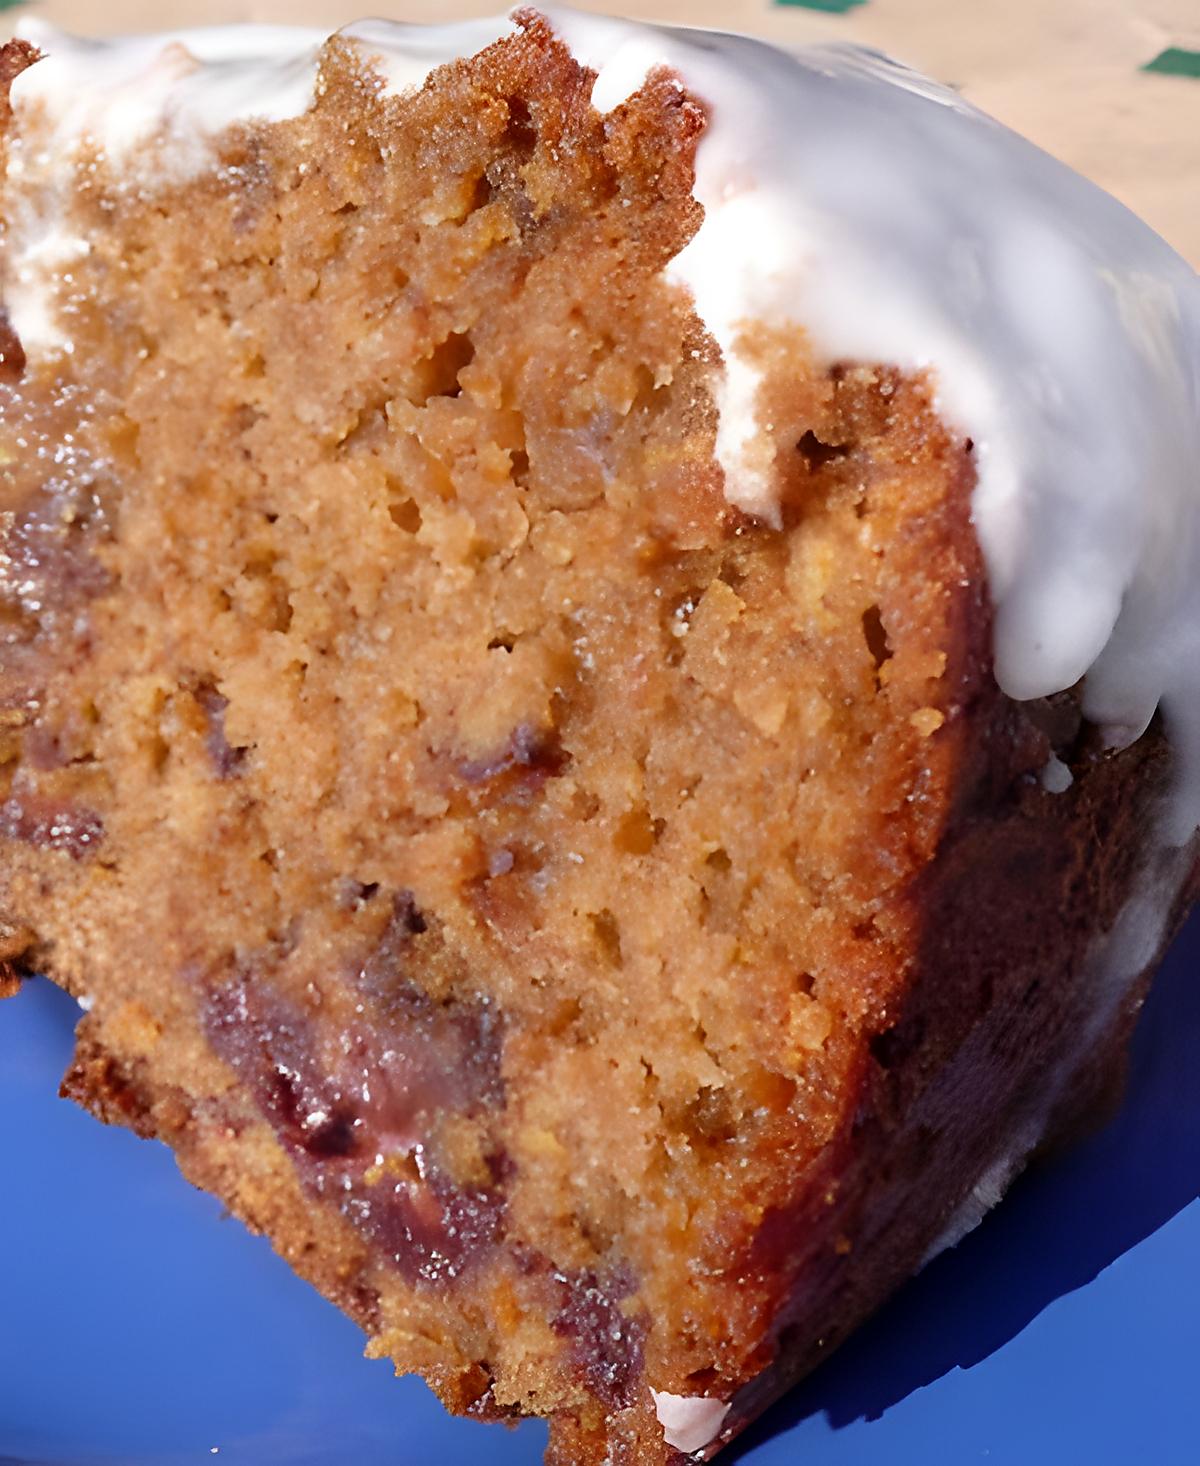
{"points": [[177, 90]]}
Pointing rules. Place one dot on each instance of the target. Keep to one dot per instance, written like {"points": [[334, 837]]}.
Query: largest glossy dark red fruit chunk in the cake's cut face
{"points": [[361, 1116]]}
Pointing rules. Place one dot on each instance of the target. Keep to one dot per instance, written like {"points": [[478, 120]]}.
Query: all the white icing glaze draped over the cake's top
{"points": [[890, 221]]}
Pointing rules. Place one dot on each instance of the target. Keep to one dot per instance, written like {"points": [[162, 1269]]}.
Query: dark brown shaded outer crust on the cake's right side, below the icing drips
{"points": [[996, 1049]]}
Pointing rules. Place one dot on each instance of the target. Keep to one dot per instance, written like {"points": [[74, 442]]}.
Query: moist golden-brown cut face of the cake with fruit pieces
{"points": [[489, 857]]}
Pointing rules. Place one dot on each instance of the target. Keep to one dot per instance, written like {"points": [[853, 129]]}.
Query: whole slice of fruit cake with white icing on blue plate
{"points": [[601, 672]]}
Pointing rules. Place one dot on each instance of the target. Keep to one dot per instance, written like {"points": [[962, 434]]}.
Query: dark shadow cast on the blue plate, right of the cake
{"points": [[1062, 1226]]}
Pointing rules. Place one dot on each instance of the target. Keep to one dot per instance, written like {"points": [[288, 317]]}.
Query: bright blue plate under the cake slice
{"points": [[141, 1327]]}
